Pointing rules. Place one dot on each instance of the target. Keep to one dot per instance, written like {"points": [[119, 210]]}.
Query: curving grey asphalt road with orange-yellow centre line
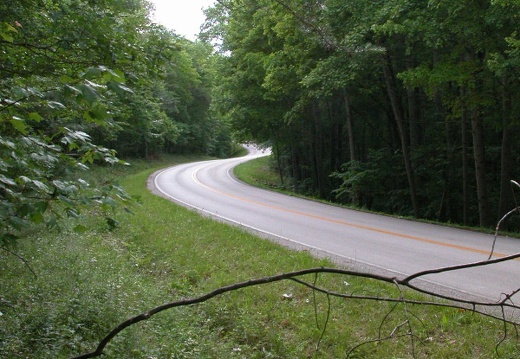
{"points": [[362, 241]]}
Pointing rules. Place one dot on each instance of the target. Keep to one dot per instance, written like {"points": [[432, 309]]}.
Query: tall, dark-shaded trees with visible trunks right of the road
{"points": [[406, 107]]}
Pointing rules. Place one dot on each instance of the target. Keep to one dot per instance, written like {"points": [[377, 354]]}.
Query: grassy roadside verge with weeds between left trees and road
{"points": [[87, 284]]}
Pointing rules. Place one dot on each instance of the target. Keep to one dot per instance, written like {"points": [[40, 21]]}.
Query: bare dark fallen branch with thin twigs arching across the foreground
{"points": [[456, 302]]}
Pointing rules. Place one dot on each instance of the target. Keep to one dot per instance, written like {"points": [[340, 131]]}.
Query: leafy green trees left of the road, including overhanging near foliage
{"points": [[83, 82]]}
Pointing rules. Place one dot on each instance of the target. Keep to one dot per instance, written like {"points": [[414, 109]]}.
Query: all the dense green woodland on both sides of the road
{"points": [[406, 107]]}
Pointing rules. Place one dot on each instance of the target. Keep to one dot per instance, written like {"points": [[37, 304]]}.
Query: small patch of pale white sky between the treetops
{"points": [[182, 16]]}
